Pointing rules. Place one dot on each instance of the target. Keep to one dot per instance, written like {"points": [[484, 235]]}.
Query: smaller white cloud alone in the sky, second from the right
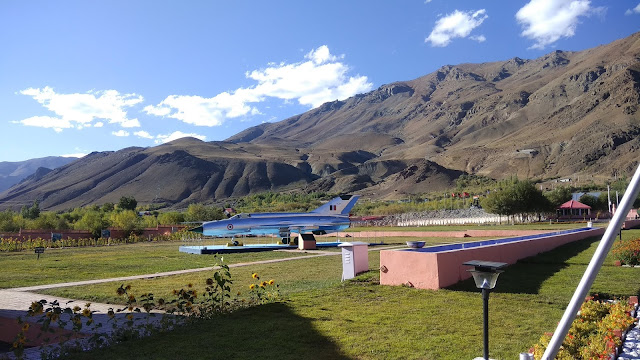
{"points": [[455, 25]]}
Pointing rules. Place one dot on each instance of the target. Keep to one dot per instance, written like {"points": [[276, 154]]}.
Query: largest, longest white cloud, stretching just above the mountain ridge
{"points": [[320, 78]]}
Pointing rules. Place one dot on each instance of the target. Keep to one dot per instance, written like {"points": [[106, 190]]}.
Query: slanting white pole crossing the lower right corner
{"points": [[594, 267]]}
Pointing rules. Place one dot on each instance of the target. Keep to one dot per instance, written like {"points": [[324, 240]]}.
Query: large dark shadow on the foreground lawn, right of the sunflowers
{"points": [[271, 331]]}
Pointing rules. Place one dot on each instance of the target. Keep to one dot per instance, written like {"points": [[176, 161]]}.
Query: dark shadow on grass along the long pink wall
{"points": [[528, 275]]}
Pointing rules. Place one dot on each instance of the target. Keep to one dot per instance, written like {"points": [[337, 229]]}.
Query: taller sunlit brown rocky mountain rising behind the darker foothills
{"points": [[562, 114]]}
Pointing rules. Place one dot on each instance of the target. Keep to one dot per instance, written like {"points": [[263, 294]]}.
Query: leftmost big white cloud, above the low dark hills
{"points": [[80, 110]]}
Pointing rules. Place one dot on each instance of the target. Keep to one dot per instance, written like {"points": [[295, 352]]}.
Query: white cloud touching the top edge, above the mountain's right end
{"points": [[546, 21]]}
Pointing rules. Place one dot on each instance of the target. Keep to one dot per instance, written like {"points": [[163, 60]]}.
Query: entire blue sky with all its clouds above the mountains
{"points": [[83, 76]]}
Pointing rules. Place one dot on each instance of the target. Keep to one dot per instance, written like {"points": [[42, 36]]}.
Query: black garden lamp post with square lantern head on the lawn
{"points": [[485, 274]]}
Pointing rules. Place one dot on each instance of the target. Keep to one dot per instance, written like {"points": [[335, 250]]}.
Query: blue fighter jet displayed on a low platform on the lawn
{"points": [[330, 217]]}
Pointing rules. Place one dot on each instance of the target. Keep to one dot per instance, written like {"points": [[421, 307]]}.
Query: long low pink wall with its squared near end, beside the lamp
{"points": [[426, 270]]}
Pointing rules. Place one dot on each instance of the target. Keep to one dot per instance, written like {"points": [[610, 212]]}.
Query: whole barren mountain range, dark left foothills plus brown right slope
{"points": [[564, 114]]}
